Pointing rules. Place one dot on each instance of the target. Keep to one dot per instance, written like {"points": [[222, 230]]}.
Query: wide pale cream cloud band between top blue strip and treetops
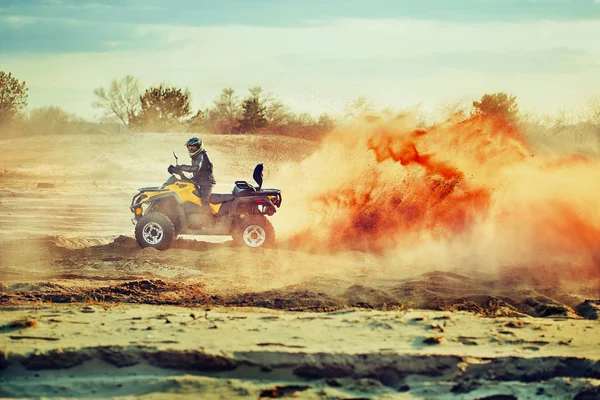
{"points": [[322, 65]]}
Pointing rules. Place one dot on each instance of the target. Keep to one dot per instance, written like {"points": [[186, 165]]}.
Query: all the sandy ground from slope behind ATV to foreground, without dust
{"points": [[520, 331]]}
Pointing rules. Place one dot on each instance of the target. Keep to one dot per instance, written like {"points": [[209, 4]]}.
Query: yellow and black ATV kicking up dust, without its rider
{"points": [[175, 208]]}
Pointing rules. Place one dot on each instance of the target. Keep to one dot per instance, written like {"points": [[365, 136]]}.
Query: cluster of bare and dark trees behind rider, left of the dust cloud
{"points": [[164, 108]]}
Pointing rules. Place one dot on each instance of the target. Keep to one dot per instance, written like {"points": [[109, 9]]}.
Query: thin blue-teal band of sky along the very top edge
{"points": [[289, 13]]}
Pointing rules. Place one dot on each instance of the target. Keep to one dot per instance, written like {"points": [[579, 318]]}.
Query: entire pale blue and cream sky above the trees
{"points": [[314, 55]]}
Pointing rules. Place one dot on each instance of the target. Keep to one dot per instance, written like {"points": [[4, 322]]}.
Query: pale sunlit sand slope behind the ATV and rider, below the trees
{"points": [[93, 177]]}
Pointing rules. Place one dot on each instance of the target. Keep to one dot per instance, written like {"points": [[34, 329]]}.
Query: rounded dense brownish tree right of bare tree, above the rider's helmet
{"points": [[162, 107]]}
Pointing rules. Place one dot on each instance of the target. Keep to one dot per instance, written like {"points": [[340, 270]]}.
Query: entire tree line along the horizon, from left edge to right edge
{"points": [[165, 108]]}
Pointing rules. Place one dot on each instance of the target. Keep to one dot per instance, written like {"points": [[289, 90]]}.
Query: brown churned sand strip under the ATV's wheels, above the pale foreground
{"points": [[62, 270]]}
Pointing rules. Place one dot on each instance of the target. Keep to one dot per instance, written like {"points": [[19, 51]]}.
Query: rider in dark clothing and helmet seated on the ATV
{"points": [[201, 168]]}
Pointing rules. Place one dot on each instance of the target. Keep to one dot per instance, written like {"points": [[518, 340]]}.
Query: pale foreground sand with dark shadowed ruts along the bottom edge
{"points": [[174, 352]]}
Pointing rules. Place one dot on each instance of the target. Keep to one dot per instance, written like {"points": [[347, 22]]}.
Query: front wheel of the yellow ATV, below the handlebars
{"points": [[155, 230]]}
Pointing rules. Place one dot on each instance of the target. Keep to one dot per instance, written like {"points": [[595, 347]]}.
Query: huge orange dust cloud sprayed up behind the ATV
{"points": [[468, 192]]}
